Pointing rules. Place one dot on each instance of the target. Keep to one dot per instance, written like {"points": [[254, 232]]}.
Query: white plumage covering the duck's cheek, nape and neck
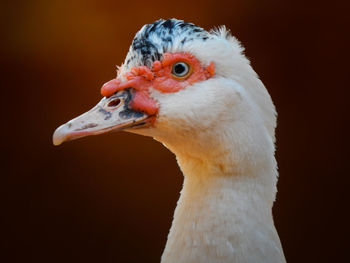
{"points": [[222, 133]]}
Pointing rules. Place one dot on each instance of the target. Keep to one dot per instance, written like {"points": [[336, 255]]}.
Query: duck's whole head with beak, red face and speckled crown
{"points": [[183, 86]]}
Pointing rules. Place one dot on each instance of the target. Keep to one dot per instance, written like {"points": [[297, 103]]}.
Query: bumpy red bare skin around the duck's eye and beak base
{"points": [[160, 78]]}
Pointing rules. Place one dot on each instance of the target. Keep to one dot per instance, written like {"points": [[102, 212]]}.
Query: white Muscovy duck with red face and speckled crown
{"points": [[195, 91]]}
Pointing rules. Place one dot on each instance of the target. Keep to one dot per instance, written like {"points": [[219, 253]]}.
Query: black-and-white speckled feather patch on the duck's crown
{"points": [[153, 40]]}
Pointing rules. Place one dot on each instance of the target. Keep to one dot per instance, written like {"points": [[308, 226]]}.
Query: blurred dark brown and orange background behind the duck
{"points": [[110, 198]]}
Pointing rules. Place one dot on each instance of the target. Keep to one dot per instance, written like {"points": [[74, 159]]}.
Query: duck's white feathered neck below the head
{"points": [[224, 215]]}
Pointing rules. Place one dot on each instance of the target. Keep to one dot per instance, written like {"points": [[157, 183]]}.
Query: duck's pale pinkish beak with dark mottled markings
{"points": [[110, 114]]}
